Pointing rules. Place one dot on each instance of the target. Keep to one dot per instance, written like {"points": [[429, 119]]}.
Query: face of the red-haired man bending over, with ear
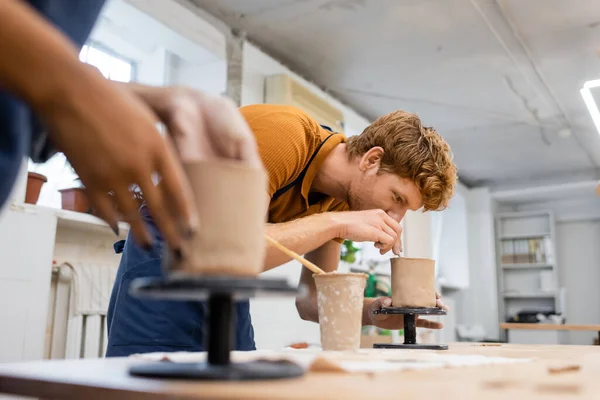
{"points": [[387, 191]]}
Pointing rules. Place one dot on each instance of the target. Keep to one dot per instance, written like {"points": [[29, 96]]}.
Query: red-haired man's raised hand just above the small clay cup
{"points": [[370, 226]]}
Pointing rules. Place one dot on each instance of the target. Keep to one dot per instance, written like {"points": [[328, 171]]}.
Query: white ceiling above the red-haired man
{"points": [[499, 79]]}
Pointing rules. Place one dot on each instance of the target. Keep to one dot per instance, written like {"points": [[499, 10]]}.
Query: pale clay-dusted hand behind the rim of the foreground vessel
{"points": [[204, 127]]}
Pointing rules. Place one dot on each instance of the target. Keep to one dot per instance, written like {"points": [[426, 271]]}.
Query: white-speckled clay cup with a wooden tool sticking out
{"points": [[340, 304]]}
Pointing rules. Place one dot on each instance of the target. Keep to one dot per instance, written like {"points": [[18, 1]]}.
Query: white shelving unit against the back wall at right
{"points": [[526, 264]]}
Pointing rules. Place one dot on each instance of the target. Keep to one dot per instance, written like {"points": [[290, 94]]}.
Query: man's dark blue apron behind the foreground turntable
{"points": [[138, 325]]}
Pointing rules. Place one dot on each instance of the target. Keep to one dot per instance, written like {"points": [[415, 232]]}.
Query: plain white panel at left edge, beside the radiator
{"points": [[24, 281]]}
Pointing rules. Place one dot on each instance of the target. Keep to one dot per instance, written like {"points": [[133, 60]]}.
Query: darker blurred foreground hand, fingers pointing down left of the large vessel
{"points": [[111, 139]]}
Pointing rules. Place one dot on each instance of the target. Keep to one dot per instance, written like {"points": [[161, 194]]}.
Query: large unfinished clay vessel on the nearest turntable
{"points": [[232, 206]]}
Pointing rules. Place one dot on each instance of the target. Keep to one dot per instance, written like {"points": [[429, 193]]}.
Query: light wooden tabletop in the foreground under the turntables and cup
{"points": [[109, 379]]}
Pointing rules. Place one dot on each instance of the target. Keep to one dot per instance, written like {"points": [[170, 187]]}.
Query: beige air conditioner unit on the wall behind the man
{"points": [[283, 89]]}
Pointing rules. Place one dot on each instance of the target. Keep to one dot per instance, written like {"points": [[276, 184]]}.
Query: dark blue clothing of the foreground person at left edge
{"points": [[21, 133]]}
